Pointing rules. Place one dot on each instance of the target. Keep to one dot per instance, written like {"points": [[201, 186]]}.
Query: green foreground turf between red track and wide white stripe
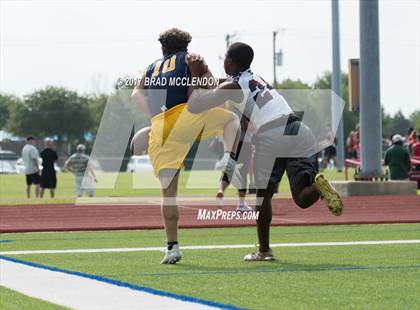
{"points": [[331, 277]]}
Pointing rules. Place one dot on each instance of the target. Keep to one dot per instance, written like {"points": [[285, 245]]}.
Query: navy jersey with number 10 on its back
{"points": [[160, 75]]}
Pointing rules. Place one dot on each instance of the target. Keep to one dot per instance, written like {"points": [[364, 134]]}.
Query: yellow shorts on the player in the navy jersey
{"points": [[173, 131]]}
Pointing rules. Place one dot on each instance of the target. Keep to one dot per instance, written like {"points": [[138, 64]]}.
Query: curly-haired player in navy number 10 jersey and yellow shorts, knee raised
{"points": [[174, 128]]}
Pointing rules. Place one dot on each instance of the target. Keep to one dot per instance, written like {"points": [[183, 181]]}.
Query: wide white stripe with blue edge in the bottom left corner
{"points": [[81, 293]]}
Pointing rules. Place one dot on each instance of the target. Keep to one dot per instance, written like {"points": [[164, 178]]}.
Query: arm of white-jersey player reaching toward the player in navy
{"points": [[202, 100]]}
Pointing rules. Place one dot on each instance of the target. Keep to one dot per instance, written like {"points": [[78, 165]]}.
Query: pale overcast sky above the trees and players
{"points": [[87, 45]]}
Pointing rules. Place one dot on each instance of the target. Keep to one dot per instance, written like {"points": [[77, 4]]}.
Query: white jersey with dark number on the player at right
{"points": [[261, 103]]}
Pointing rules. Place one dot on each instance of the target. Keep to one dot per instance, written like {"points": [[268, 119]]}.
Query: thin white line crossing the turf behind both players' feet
{"points": [[211, 247]]}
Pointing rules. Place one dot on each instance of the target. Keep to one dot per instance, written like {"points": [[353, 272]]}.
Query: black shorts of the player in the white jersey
{"points": [[281, 146]]}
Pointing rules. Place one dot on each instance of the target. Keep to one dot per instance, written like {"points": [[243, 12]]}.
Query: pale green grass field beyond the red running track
{"points": [[12, 187]]}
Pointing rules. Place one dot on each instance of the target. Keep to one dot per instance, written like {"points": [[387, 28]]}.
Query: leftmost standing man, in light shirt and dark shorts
{"points": [[30, 159]]}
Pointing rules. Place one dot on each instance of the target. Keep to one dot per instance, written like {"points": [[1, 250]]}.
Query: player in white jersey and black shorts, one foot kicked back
{"points": [[278, 131]]}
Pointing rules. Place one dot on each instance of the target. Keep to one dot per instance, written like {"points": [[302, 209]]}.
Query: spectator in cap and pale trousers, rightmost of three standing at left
{"points": [[78, 164]]}
